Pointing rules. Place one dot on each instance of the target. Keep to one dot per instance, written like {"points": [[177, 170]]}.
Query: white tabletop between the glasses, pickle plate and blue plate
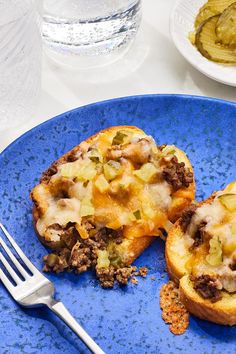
{"points": [[152, 65]]}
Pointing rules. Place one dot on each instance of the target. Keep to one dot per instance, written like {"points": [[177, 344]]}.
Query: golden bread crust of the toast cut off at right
{"points": [[222, 311]]}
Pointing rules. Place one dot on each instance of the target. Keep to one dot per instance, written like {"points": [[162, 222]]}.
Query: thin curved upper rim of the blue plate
{"points": [[117, 99]]}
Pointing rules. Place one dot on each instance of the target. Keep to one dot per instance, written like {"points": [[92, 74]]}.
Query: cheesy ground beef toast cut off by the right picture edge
{"points": [[201, 257]]}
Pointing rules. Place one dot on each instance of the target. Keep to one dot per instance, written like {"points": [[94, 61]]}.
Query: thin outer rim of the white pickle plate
{"points": [[188, 57]]}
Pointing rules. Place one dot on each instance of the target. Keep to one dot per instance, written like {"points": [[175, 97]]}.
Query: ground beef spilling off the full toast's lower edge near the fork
{"points": [[81, 254]]}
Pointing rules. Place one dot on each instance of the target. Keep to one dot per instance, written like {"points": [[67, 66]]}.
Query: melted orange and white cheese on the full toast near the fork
{"points": [[114, 208]]}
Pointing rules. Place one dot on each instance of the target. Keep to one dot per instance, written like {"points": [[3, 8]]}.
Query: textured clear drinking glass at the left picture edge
{"points": [[20, 61]]}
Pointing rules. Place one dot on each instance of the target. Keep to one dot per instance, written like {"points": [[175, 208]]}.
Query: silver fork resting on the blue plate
{"points": [[36, 290]]}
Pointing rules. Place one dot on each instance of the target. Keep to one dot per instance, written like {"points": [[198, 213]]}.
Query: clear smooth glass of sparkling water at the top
{"points": [[89, 27]]}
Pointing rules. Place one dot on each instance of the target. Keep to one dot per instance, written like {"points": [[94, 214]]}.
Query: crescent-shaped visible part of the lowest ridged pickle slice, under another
{"points": [[206, 43]]}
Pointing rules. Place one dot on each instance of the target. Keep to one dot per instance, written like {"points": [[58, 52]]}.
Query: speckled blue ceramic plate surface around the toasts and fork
{"points": [[122, 320]]}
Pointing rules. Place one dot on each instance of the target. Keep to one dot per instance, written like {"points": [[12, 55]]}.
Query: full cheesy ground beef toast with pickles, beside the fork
{"points": [[101, 203]]}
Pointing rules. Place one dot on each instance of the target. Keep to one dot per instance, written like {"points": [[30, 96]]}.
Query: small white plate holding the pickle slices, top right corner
{"points": [[181, 23]]}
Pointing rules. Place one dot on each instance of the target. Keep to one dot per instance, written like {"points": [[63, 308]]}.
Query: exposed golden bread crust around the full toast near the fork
{"points": [[132, 248]]}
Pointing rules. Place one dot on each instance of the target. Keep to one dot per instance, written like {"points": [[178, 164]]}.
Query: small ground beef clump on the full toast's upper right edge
{"points": [[176, 174]]}
